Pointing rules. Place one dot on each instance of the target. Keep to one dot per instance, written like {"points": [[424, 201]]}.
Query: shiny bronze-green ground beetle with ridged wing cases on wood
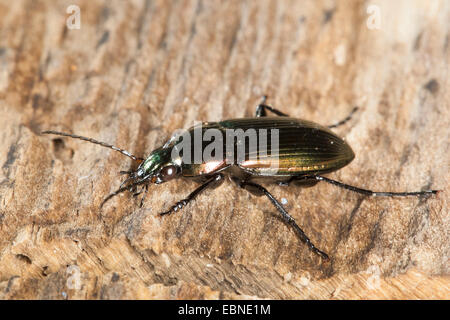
{"points": [[304, 152]]}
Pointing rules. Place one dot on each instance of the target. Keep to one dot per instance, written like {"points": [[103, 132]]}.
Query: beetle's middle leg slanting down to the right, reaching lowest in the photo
{"points": [[286, 217]]}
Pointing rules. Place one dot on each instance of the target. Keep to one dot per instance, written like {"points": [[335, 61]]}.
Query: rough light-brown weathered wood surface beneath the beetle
{"points": [[136, 71]]}
